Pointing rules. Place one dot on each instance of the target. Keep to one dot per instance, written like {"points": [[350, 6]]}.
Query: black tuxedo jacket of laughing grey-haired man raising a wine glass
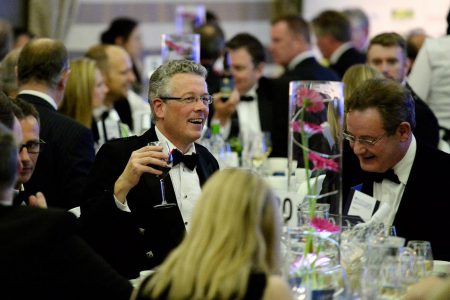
{"points": [[139, 240]]}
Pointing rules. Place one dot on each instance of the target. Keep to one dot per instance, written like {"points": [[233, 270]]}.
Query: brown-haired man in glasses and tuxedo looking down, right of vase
{"points": [[399, 172]]}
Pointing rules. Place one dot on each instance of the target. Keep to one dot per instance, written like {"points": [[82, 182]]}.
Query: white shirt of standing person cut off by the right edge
{"points": [[430, 77]]}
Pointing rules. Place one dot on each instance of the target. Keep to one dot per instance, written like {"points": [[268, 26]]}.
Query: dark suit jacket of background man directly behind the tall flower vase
{"points": [[308, 69]]}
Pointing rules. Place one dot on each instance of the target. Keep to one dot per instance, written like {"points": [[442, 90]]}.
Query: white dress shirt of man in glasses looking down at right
{"points": [[391, 193]]}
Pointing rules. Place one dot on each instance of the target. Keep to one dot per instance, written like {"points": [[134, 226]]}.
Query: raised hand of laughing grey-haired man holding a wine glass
{"points": [[143, 160]]}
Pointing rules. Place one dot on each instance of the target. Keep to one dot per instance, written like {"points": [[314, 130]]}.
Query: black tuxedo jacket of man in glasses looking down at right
{"points": [[424, 207]]}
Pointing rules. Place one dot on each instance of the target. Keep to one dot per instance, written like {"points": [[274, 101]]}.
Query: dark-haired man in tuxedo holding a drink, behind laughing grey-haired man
{"points": [[253, 111]]}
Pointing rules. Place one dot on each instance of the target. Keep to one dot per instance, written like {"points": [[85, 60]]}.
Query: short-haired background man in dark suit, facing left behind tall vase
{"points": [[291, 47]]}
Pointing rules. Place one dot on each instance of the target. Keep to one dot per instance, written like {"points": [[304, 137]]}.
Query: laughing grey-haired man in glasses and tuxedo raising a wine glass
{"points": [[120, 219]]}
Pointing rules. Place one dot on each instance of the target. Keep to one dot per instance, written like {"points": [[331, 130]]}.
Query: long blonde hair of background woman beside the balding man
{"points": [[77, 102]]}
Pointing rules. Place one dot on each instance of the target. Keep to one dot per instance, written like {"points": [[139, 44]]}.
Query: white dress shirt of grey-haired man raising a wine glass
{"points": [[186, 185]]}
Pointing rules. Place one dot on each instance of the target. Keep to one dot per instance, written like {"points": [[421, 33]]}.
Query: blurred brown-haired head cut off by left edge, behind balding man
{"points": [[8, 78]]}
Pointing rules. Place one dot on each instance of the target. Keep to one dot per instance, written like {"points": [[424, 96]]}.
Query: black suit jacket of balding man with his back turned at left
{"points": [[63, 166]]}
